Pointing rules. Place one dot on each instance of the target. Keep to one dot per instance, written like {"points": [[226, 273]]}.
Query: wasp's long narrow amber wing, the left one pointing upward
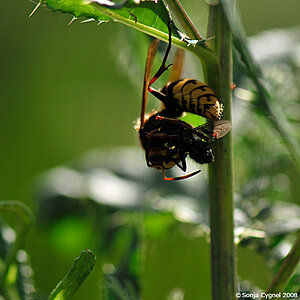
{"points": [[149, 65]]}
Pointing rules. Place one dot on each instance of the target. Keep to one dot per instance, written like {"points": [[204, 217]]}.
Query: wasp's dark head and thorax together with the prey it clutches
{"points": [[168, 141]]}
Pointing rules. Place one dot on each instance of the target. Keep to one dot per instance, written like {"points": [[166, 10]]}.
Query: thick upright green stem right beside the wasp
{"points": [[223, 252]]}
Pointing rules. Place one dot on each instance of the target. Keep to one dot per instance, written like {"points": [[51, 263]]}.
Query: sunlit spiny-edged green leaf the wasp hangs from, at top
{"points": [[147, 16]]}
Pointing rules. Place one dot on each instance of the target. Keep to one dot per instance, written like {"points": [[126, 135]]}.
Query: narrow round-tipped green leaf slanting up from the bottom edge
{"points": [[81, 268]]}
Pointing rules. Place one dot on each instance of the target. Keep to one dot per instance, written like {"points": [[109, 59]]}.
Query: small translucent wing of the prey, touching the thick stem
{"points": [[216, 129]]}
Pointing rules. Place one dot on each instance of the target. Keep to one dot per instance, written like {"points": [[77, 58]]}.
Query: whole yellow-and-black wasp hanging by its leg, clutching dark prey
{"points": [[167, 141]]}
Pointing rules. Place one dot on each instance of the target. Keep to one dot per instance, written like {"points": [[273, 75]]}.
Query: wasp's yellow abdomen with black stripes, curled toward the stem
{"points": [[194, 96]]}
